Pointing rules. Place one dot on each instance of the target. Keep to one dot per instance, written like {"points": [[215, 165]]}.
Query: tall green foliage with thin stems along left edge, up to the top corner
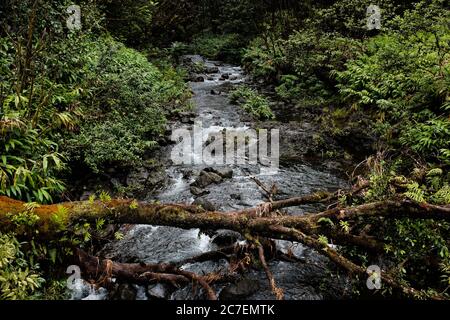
{"points": [[41, 85]]}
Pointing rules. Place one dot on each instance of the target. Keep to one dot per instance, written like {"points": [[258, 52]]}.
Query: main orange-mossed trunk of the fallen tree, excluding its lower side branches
{"points": [[186, 216]]}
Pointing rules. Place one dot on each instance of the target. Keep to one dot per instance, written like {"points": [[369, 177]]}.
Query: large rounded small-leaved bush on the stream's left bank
{"points": [[129, 100]]}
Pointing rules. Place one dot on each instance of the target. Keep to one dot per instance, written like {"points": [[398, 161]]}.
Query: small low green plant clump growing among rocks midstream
{"points": [[252, 102]]}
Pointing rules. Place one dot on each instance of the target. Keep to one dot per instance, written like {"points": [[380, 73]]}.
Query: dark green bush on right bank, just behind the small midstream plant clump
{"points": [[302, 64]]}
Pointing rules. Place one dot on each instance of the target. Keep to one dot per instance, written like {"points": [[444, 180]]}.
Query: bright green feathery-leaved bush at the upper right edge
{"points": [[411, 101]]}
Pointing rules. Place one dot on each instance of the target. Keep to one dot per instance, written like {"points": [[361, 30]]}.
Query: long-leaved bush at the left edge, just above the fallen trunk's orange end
{"points": [[37, 102]]}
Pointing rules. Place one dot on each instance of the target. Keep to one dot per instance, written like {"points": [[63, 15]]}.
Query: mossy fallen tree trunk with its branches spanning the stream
{"points": [[301, 229]]}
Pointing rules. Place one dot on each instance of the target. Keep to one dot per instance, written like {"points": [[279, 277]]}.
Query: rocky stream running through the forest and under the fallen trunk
{"points": [[310, 278]]}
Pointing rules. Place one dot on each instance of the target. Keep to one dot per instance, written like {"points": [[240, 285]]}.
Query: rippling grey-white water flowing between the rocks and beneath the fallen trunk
{"points": [[308, 279]]}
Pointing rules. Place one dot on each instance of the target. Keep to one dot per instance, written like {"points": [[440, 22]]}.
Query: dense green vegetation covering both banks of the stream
{"points": [[100, 96]]}
